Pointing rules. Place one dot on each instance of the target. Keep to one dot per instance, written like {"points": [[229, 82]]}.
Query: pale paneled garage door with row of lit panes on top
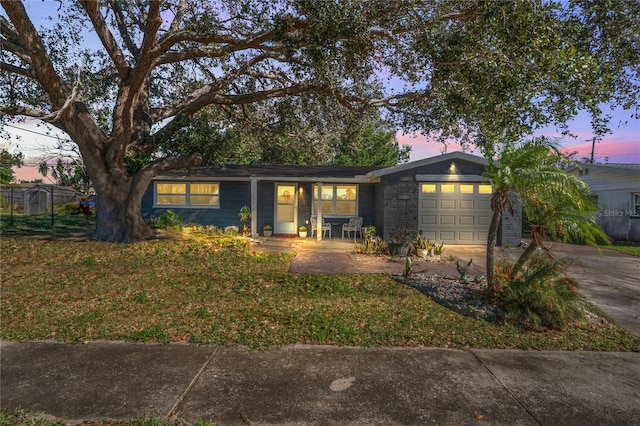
{"points": [[455, 212]]}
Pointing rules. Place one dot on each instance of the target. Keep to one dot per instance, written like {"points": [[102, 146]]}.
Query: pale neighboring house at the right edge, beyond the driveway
{"points": [[617, 187]]}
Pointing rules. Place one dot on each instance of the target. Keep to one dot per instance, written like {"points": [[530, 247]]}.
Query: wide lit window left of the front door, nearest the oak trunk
{"points": [[202, 194]]}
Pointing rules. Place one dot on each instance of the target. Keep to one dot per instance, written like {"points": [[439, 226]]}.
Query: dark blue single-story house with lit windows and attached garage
{"points": [[446, 197]]}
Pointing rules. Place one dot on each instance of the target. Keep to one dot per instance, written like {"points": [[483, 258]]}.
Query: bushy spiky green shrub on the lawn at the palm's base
{"points": [[538, 296]]}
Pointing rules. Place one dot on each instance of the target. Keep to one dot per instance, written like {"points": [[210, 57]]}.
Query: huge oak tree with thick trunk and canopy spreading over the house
{"points": [[122, 79]]}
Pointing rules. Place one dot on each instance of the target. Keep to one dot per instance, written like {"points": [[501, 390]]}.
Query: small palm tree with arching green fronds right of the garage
{"points": [[559, 204]]}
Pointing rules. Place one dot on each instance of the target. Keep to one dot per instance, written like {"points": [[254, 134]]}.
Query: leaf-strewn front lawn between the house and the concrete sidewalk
{"points": [[214, 291]]}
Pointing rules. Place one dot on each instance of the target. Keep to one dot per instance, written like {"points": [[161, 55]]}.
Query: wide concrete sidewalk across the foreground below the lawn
{"points": [[321, 385]]}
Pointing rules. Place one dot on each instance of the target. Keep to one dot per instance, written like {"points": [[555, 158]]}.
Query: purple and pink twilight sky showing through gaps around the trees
{"points": [[622, 145]]}
